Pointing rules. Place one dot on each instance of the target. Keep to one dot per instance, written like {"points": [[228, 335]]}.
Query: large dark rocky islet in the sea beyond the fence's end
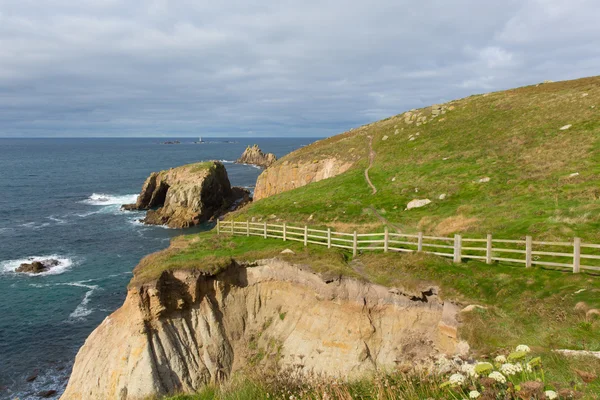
{"points": [[188, 195]]}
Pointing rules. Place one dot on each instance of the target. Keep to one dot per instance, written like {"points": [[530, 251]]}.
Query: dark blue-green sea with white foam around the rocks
{"points": [[61, 198]]}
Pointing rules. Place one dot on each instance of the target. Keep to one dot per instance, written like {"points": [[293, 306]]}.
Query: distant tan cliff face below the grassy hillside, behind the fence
{"points": [[284, 176]]}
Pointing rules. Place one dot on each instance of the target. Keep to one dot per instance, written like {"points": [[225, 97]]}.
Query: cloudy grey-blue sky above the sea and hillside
{"points": [[280, 68]]}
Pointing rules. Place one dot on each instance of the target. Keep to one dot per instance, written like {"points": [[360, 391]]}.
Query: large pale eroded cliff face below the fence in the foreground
{"points": [[188, 329]]}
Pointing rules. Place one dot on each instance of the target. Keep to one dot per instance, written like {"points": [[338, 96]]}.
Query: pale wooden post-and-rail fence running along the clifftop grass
{"points": [[528, 251]]}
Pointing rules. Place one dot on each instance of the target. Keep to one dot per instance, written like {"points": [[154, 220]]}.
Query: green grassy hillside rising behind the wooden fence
{"points": [[543, 180]]}
